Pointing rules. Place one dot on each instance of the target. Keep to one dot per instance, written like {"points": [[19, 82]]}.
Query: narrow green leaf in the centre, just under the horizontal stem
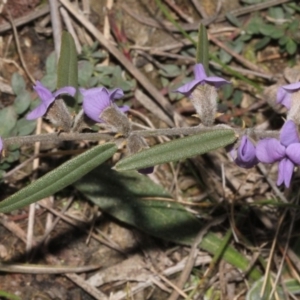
{"points": [[178, 149]]}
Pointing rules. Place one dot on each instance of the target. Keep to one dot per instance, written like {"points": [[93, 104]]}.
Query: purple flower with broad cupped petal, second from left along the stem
{"points": [[96, 100]]}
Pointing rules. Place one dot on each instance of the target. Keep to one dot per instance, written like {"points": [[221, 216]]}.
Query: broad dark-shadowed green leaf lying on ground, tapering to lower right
{"points": [[135, 200]]}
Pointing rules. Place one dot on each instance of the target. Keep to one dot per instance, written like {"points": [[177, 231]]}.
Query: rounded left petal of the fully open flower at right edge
{"points": [[269, 151]]}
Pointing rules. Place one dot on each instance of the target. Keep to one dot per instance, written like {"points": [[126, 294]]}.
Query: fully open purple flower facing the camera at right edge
{"points": [[286, 151]]}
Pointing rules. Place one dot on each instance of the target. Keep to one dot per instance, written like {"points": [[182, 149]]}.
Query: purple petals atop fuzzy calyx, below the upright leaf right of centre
{"points": [[200, 78]]}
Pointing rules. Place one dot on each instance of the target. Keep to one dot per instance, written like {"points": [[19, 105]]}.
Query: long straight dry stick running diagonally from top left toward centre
{"points": [[140, 77]]}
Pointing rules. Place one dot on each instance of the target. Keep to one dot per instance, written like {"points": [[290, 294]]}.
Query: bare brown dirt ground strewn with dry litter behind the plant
{"points": [[121, 258]]}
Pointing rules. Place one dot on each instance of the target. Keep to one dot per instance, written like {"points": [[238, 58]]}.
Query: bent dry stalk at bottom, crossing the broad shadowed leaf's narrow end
{"points": [[193, 255]]}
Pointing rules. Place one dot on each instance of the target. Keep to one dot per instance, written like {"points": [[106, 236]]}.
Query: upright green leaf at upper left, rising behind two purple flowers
{"points": [[67, 70]]}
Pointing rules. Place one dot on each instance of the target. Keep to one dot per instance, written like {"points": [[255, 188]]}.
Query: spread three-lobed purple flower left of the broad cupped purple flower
{"points": [[47, 98]]}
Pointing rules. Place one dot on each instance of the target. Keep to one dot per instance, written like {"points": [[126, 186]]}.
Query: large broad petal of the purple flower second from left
{"points": [[95, 100]]}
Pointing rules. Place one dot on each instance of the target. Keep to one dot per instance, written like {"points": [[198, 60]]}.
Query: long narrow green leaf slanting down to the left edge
{"points": [[59, 178]]}
